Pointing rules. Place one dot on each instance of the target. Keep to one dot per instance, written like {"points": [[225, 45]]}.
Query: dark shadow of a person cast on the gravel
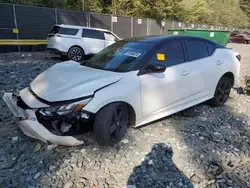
{"points": [[158, 170]]}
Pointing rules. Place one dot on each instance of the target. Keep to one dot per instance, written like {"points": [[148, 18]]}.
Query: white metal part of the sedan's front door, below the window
{"points": [[162, 90]]}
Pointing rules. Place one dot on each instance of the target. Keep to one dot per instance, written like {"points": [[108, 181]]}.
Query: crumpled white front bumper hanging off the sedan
{"points": [[32, 128]]}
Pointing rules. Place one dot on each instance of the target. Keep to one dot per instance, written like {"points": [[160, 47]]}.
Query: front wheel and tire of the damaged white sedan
{"points": [[107, 129]]}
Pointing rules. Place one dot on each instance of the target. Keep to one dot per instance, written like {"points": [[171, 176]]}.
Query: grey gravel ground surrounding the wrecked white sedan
{"points": [[200, 147]]}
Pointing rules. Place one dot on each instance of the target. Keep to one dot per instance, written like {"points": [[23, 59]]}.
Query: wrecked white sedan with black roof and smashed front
{"points": [[130, 83]]}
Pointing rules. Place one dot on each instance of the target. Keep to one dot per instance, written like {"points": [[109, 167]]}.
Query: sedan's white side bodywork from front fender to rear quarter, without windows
{"points": [[163, 94]]}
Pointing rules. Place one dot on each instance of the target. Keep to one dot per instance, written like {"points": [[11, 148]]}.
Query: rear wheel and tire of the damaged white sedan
{"points": [[222, 92]]}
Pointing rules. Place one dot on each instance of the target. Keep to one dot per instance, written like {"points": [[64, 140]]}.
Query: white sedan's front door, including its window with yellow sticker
{"points": [[169, 90]]}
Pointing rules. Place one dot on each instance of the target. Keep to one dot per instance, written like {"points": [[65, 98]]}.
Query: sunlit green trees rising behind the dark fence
{"points": [[231, 13]]}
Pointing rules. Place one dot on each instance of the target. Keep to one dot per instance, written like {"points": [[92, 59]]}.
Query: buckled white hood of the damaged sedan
{"points": [[70, 80]]}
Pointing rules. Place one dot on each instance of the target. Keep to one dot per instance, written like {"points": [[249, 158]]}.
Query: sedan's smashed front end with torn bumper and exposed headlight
{"points": [[57, 122]]}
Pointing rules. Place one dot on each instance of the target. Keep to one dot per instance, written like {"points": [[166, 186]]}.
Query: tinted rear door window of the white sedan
{"points": [[196, 49]]}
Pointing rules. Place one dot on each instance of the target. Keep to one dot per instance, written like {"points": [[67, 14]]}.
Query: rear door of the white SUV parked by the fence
{"points": [[93, 41]]}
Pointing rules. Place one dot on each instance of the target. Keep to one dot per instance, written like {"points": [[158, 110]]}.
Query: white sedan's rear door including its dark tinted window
{"points": [[205, 65]]}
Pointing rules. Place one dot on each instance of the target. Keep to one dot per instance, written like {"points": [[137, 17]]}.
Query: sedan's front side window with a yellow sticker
{"points": [[171, 54]]}
